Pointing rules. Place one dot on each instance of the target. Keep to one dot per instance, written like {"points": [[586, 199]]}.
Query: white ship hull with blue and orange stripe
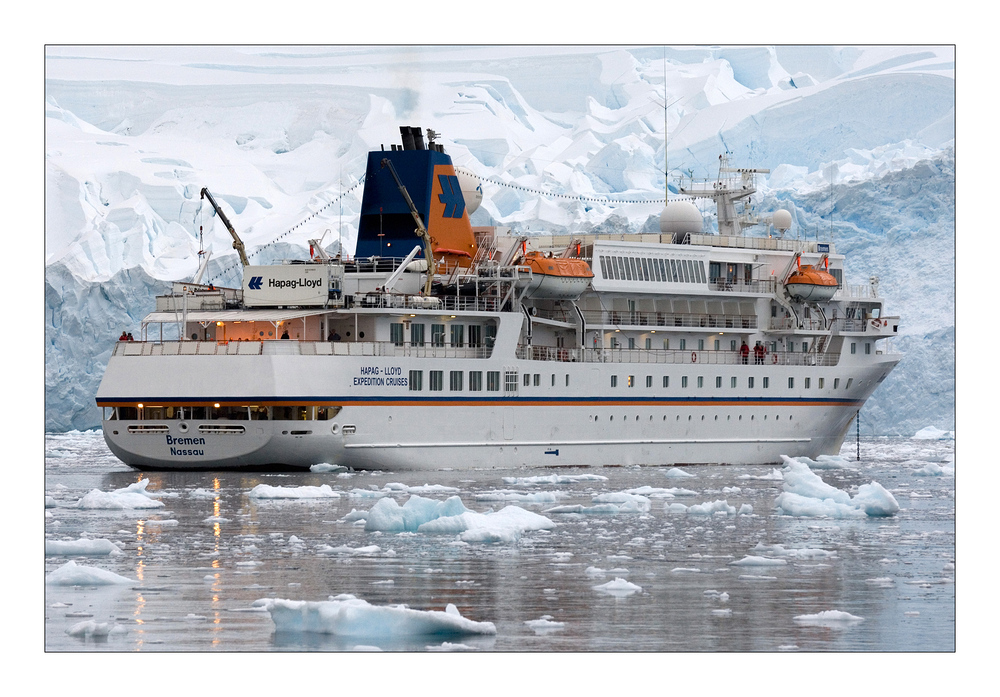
{"points": [[392, 428]]}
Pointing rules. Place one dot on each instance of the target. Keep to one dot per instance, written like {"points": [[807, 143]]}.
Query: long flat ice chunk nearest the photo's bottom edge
{"points": [[346, 615]]}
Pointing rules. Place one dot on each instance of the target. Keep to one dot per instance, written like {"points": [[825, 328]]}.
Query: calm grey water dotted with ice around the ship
{"points": [[195, 581]]}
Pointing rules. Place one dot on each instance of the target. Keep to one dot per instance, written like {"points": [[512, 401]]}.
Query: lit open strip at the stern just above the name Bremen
{"points": [[152, 412]]}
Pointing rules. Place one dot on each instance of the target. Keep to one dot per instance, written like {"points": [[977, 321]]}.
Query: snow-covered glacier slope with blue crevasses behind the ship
{"points": [[859, 140]]}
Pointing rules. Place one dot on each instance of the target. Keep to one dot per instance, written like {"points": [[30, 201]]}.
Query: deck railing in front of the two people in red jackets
{"points": [[681, 357]]}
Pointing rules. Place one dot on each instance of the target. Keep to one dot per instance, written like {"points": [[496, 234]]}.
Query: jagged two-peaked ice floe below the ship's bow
{"points": [[806, 494]]}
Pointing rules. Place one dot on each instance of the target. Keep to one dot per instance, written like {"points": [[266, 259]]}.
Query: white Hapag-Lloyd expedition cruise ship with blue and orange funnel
{"points": [[441, 345]]}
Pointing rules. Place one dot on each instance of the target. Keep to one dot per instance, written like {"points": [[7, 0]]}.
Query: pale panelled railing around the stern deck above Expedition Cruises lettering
{"points": [[285, 347]]}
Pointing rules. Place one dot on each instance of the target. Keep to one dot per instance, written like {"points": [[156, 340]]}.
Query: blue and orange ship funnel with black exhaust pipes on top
{"points": [[387, 228]]}
